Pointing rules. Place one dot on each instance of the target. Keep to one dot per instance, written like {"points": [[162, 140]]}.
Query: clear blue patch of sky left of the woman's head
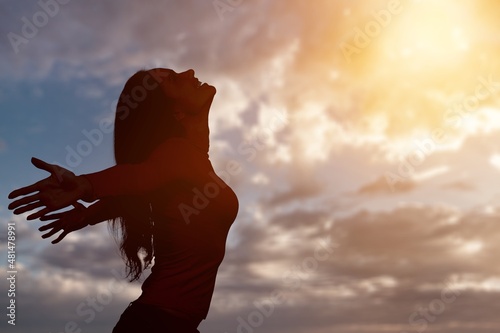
{"points": [[43, 119]]}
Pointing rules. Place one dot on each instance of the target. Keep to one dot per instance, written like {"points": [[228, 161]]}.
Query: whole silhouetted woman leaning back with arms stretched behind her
{"points": [[162, 195]]}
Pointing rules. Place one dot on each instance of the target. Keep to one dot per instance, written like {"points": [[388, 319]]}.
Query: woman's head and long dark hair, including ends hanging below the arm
{"points": [[155, 105]]}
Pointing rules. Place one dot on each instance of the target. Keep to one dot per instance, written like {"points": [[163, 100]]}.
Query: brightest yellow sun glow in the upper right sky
{"points": [[419, 67]]}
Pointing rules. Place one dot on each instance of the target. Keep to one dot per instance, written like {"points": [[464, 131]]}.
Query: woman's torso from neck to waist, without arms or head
{"points": [[191, 222]]}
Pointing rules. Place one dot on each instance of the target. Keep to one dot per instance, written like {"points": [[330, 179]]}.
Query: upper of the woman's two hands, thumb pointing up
{"points": [[61, 189]]}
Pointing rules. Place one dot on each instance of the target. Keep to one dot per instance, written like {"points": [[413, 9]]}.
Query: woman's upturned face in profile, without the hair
{"points": [[189, 94]]}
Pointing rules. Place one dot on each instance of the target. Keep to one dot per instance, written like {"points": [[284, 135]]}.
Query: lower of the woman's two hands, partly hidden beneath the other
{"points": [[67, 221]]}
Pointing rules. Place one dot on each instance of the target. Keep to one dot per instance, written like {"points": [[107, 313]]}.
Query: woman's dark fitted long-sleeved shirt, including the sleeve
{"points": [[192, 209]]}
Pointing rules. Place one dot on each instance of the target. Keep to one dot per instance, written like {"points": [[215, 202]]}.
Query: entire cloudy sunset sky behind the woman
{"points": [[367, 134]]}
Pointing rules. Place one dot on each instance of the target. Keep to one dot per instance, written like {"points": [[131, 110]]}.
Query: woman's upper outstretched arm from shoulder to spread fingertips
{"points": [[172, 160]]}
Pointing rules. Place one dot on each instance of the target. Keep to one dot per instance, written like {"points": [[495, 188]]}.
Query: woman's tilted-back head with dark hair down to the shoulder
{"points": [[156, 105]]}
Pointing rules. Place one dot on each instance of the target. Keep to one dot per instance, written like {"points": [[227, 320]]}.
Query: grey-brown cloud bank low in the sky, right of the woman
{"points": [[384, 266]]}
